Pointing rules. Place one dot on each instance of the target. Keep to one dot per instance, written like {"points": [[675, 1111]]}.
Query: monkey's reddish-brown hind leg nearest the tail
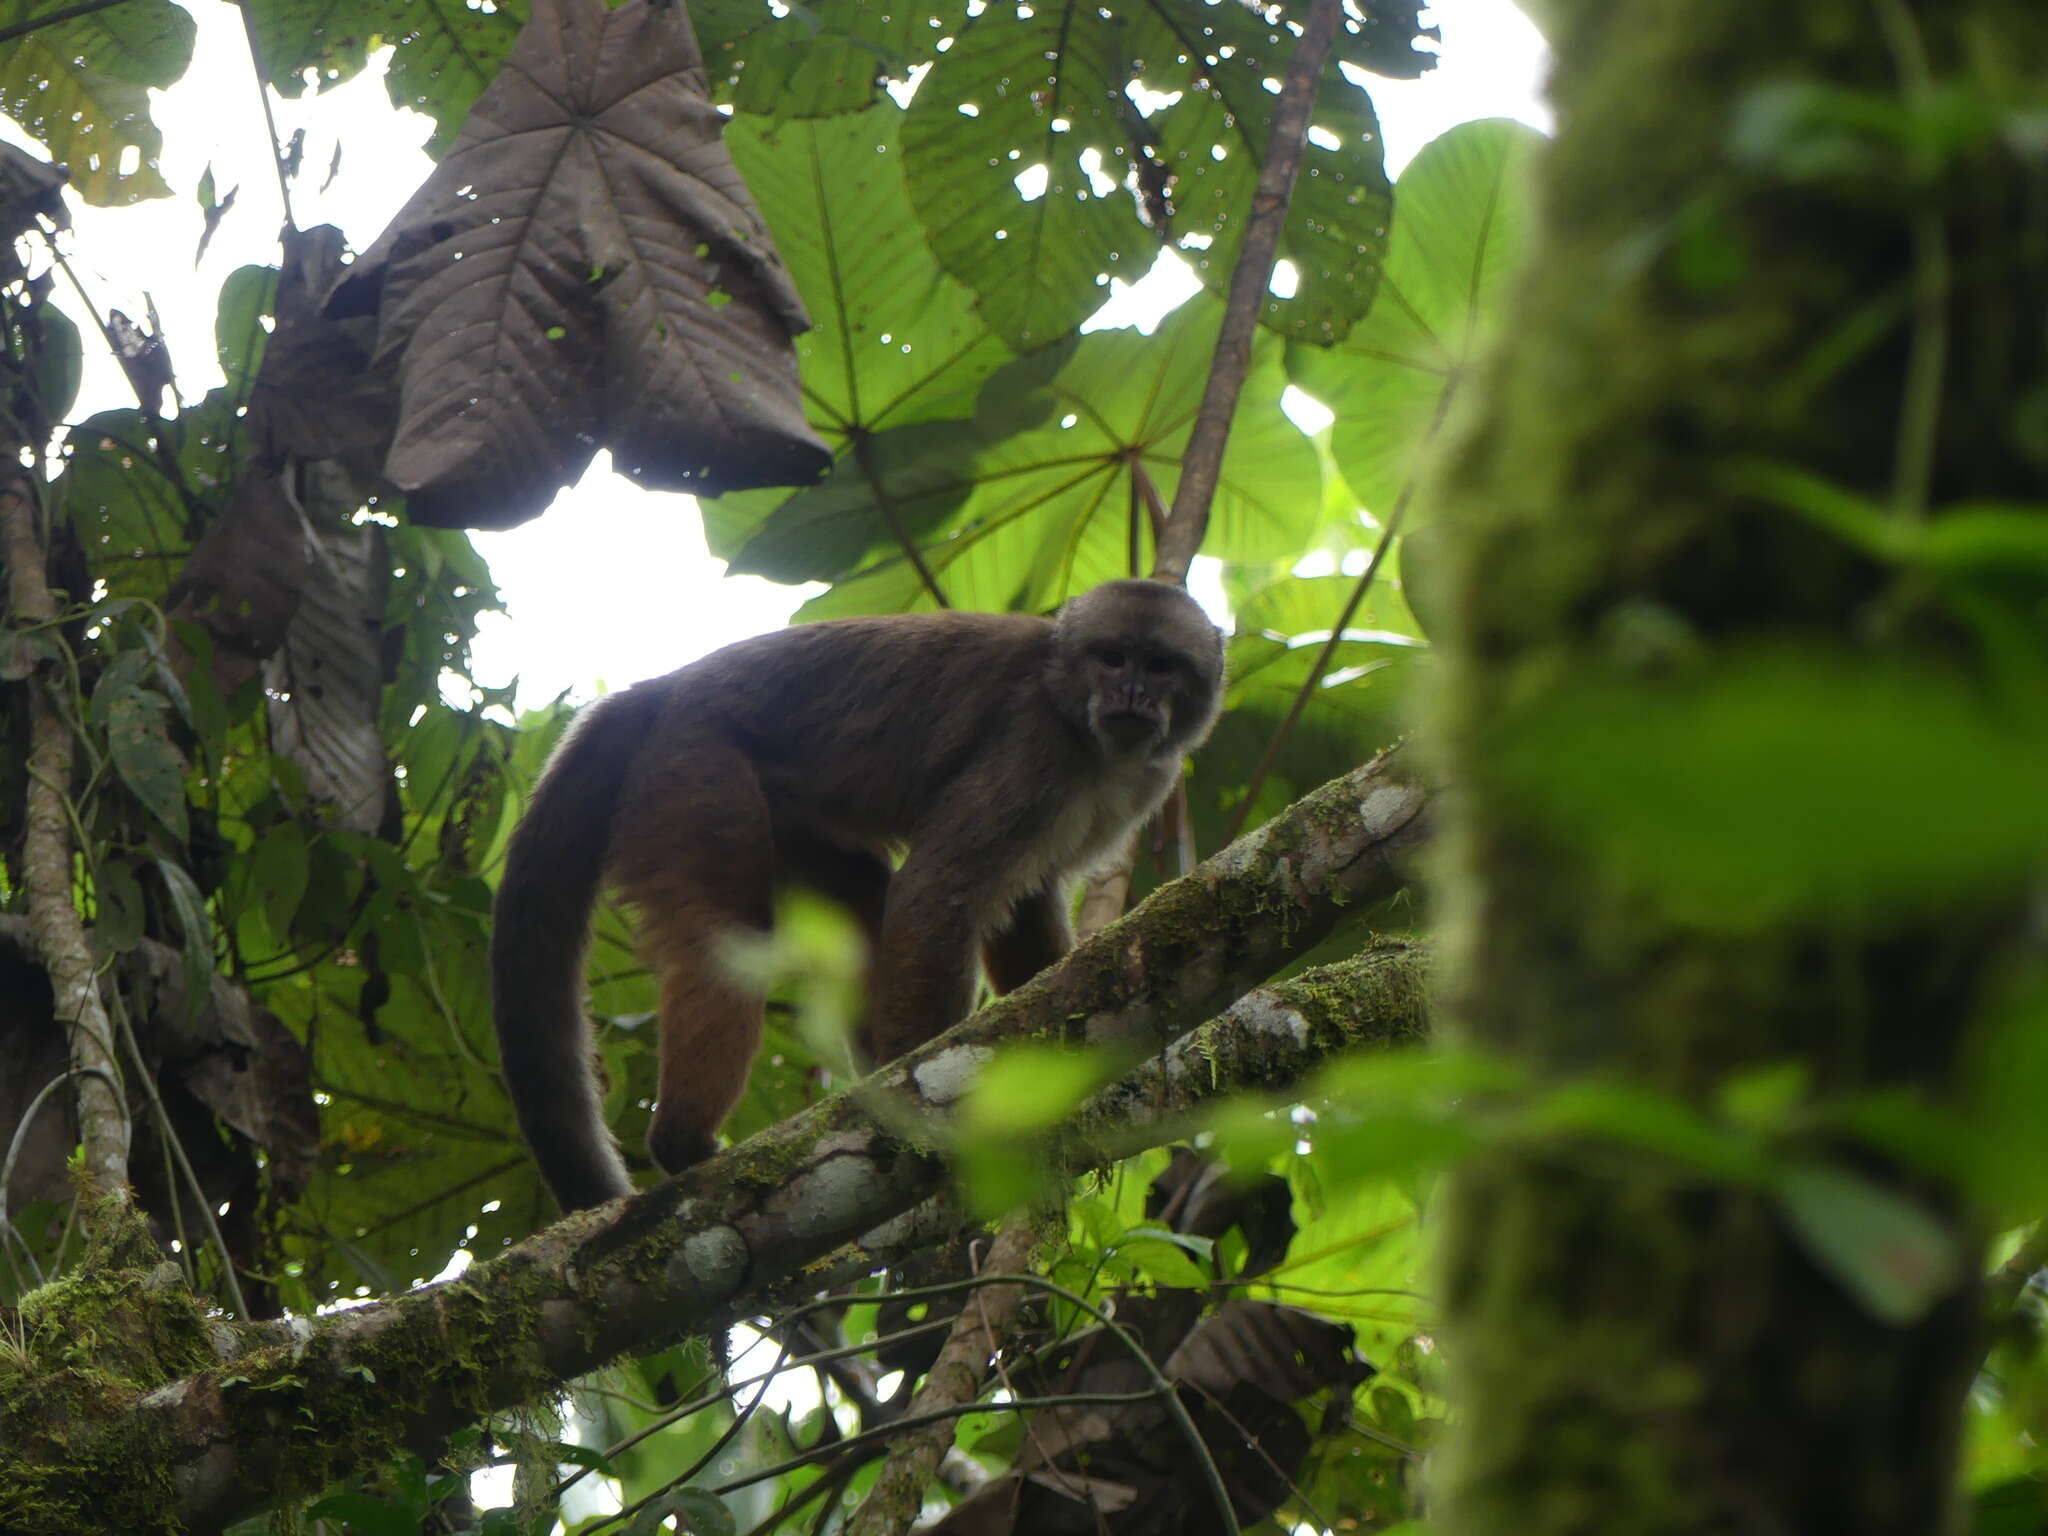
{"points": [[695, 855]]}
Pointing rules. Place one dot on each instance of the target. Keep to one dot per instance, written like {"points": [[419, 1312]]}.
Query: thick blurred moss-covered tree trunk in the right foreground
{"points": [[1631, 1349]]}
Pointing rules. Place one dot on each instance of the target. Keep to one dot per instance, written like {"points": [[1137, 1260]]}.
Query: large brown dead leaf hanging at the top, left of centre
{"points": [[587, 271]]}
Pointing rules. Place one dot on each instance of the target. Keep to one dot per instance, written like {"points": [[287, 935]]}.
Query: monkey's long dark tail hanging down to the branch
{"points": [[550, 886]]}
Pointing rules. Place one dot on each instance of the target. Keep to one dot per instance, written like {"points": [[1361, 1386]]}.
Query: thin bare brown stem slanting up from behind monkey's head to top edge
{"points": [[1250, 284]]}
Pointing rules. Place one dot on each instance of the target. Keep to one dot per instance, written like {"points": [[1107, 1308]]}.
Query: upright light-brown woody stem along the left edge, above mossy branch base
{"points": [[60, 933]]}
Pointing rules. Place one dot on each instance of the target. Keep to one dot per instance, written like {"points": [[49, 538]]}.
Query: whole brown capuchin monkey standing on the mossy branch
{"points": [[1005, 753]]}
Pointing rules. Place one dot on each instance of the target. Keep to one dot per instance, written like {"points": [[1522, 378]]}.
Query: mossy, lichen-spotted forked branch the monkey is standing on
{"points": [[777, 1211]]}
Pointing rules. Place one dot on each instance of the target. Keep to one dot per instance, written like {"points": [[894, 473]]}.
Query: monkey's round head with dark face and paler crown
{"points": [[1140, 669]]}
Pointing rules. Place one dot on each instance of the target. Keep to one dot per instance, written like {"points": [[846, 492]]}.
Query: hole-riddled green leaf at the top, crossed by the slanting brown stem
{"points": [[1215, 142]]}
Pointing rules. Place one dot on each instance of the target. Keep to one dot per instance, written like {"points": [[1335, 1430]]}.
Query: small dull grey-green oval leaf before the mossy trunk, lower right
{"points": [[1889, 1252]]}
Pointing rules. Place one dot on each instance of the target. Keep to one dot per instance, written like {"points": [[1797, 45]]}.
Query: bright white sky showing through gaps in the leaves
{"points": [[613, 585]]}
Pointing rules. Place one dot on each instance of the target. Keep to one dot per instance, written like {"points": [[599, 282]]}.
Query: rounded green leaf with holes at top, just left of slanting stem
{"points": [[1019, 93]]}
